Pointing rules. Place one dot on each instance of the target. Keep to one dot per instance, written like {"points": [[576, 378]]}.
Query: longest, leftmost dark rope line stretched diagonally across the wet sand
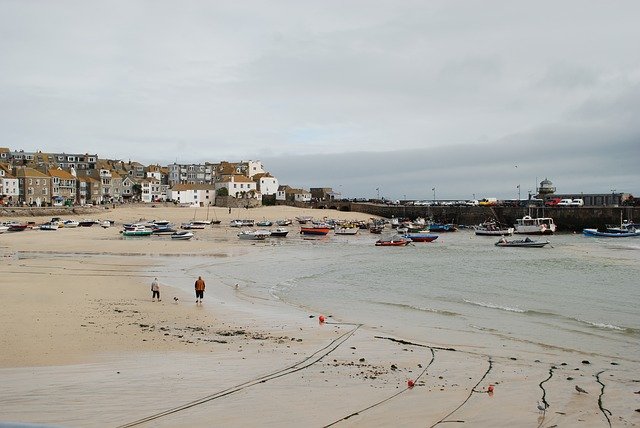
{"points": [[306, 362]]}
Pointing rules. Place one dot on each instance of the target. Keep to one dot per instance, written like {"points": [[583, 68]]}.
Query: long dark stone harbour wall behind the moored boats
{"points": [[566, 218]]}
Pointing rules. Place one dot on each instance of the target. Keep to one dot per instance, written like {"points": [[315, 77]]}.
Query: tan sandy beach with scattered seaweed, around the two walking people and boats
{"points": [[84, 345]]}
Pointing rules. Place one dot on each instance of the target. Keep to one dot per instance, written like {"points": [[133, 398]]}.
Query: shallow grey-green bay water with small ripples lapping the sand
{"points": [[581, 294]]}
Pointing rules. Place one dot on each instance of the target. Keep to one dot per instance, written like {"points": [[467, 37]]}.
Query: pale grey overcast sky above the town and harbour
{"points": [[467, 97]]}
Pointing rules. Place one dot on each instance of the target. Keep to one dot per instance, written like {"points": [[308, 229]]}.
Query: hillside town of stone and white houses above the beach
{"points": [[65, 179]]}
